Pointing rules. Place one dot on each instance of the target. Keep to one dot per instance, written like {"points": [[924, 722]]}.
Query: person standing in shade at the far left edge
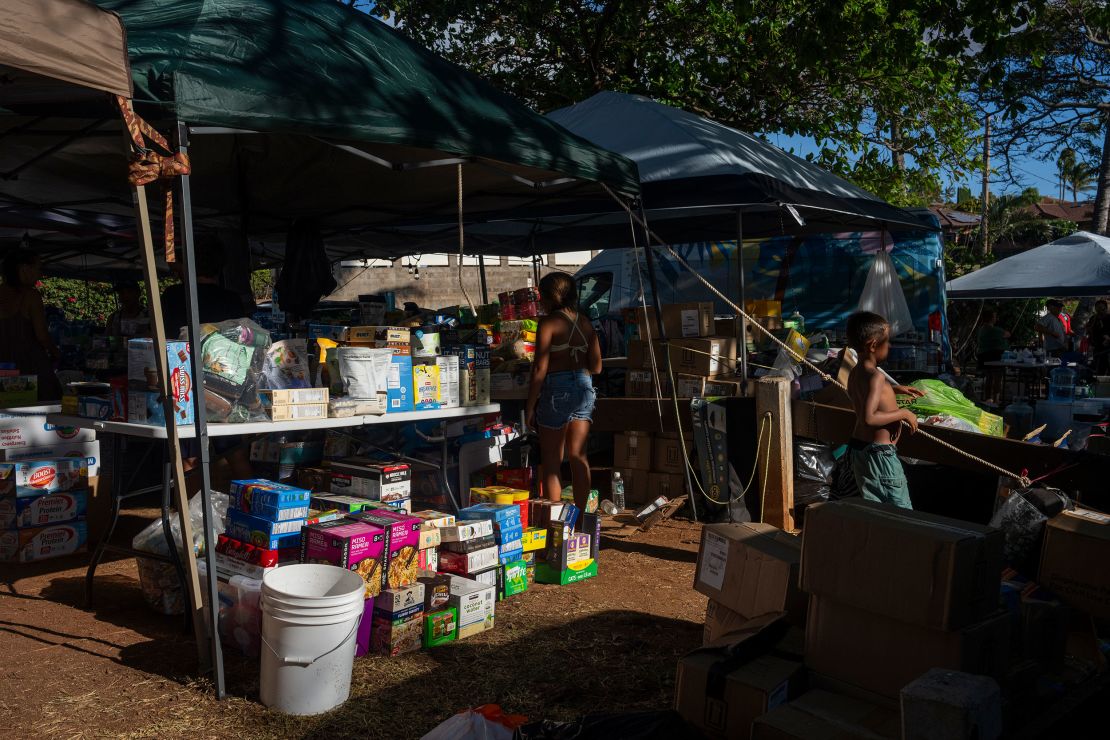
{"points": [[24, 338]]}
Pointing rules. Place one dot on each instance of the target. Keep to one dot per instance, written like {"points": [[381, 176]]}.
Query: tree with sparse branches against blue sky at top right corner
{"points": [[1051, 80]]}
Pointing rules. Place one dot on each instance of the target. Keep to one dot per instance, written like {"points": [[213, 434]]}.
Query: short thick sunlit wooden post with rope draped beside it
{"points": [[776, 467]]}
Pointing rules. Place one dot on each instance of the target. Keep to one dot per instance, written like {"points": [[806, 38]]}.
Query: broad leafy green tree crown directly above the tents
{"points": [[877, 85]]}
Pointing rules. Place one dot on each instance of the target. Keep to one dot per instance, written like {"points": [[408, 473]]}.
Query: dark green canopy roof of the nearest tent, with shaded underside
{"points": [[308, 109]]}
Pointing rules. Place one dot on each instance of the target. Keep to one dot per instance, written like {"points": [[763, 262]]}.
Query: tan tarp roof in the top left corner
{"points": [[67, 42]]}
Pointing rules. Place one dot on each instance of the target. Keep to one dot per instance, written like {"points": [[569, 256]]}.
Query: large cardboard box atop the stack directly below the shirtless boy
{"points": [[911, 566]]}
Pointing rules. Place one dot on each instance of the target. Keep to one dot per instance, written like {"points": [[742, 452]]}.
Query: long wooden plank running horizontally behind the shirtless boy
{"points": [[833, 424]]}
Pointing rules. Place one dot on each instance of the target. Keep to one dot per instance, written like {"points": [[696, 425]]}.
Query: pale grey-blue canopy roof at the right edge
{"points": [[1074, 267]]}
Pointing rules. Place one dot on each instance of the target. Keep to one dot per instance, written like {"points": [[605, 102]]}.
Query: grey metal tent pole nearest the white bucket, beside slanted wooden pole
{"points": [[200, 423]]}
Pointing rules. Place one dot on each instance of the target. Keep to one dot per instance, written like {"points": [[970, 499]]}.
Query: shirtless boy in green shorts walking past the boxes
{"points": [[879, 420]]}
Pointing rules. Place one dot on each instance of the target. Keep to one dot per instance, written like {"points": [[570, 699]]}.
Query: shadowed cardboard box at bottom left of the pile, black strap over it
{"points": [[723, 700]]}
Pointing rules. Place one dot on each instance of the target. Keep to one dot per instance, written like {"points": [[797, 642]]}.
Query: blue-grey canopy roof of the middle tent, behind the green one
{"points": [[697, 177]]}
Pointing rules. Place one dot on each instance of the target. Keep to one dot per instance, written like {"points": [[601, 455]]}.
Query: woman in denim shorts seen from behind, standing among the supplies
{"points": [[561, 398]]}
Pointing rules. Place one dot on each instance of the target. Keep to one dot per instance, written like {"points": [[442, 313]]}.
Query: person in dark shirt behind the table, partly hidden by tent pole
{"points": [[215, 303]]}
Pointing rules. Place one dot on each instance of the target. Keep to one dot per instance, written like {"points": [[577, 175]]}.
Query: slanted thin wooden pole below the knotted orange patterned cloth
{"points": [[180, 495]]}
